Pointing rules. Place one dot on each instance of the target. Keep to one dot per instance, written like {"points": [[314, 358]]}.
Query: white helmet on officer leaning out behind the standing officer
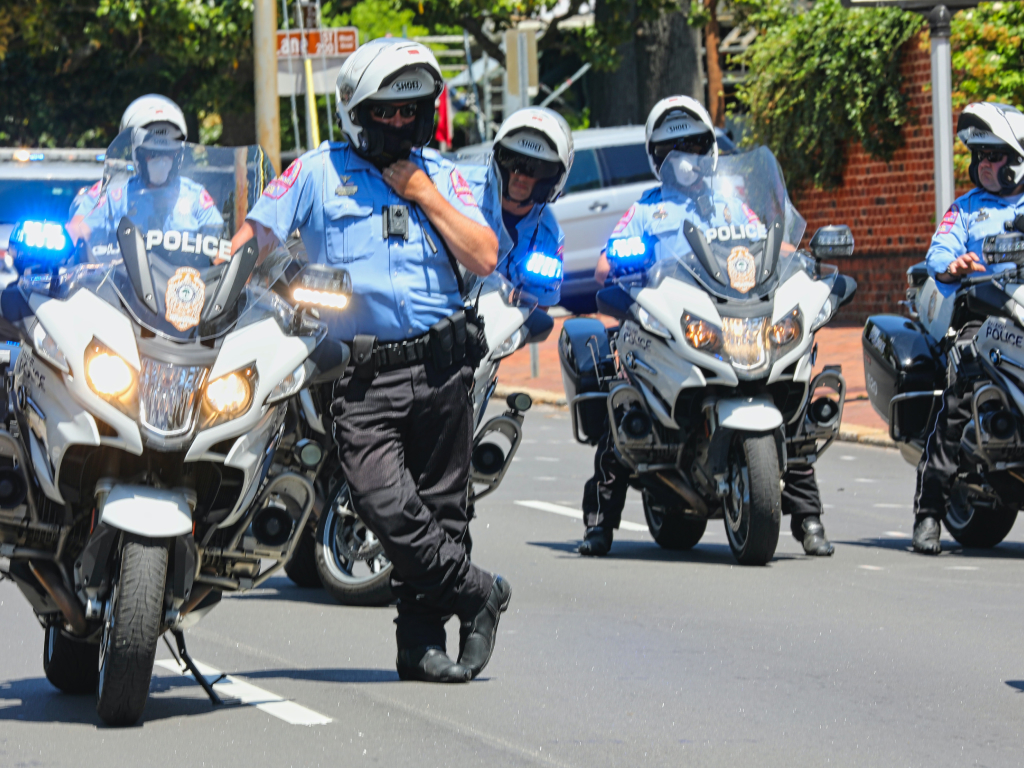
{"points": [[538, 143]]}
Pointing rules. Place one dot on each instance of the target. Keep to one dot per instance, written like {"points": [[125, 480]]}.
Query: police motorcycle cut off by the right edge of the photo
{"points": [[907, 364]]}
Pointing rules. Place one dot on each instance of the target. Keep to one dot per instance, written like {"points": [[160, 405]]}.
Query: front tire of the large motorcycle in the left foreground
{"points": [[132, 629]]}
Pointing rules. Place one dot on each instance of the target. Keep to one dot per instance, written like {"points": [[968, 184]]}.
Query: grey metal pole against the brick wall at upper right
{"points": [[943, 110]]}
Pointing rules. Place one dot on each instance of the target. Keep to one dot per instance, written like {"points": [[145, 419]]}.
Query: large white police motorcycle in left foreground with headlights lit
{"points": [[140, 476]]}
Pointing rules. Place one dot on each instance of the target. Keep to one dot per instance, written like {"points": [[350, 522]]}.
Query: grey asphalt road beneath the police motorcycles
{"points": [[874, 658]]}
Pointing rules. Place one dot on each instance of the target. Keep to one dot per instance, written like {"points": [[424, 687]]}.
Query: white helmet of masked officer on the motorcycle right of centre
{"points": [[682, 126]]}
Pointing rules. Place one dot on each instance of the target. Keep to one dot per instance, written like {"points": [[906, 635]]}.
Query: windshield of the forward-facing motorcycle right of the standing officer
{"points": [[743, 231]]}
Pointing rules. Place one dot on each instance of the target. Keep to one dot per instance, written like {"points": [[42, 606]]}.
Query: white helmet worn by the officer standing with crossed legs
{"points": [[388, 70]]}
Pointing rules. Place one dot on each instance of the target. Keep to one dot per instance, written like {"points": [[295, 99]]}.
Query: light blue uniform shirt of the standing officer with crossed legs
{"points": [[334, 198]]}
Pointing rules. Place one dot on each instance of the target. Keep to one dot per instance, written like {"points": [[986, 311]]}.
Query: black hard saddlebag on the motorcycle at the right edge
{"points": [[904, 369]]}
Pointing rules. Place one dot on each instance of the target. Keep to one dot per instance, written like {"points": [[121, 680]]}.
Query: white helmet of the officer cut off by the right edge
{"points": [[986, 125]]}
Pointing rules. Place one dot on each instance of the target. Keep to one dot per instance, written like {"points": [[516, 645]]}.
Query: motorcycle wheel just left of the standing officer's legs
{"points": [[350, 561]]}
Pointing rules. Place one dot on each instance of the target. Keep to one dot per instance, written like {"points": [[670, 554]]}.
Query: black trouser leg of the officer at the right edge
{"points": [[941, 461]]}
